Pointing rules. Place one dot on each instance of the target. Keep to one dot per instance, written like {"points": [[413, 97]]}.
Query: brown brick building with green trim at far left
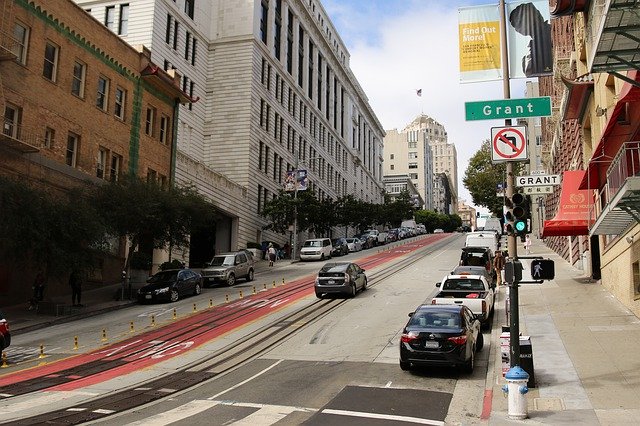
{"points": [[80, 105]]}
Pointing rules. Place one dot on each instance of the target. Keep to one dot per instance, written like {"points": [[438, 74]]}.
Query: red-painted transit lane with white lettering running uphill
{"points": [[171, 340]]}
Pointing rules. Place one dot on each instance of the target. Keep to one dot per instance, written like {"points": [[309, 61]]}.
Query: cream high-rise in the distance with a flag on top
{"points": [[421, 150]]}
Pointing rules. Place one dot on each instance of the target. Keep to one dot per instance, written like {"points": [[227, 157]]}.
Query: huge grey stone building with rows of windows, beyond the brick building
{"points": [[275, 93]]}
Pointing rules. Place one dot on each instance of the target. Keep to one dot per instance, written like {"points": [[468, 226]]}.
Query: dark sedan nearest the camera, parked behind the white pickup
{"points": [[440, 335]]}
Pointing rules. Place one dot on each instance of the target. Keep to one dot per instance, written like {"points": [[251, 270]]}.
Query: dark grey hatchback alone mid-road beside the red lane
{"points": [[340, 278]]}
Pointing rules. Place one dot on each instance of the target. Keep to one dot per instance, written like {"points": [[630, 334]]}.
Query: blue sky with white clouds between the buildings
{"points": [[399, 46]]}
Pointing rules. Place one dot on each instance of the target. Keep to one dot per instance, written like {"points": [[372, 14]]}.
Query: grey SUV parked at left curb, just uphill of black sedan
{"points": [[228, 267]]}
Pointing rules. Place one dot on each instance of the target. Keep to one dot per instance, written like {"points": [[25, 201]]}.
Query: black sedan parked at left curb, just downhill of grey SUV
{"points": [[170, 285]]}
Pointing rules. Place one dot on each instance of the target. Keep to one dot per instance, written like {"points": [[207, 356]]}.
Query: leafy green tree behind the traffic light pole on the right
{"points": [[482, 178]]}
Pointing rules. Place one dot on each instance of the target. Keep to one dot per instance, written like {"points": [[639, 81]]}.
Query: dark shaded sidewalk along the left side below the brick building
{"points": [[95, 300]]}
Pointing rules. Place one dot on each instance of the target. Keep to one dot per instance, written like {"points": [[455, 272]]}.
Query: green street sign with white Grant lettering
{"points": [[508, 108]]}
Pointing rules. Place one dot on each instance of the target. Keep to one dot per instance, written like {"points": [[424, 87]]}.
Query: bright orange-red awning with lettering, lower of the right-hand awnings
{"points": [[573, 211]]}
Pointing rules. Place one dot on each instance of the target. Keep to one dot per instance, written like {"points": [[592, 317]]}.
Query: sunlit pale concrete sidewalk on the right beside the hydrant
{"points": [[585, 345]]}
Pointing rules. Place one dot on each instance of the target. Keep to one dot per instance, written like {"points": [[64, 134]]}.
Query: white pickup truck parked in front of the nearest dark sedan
{"points": [[473, 291]]}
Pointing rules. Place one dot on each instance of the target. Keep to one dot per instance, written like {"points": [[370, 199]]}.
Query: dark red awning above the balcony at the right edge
{"points": [[616, 133]]}
